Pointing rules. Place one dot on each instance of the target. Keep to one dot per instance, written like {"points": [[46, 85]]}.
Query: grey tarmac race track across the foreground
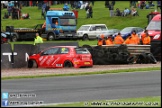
{"points": [[88, 87]]}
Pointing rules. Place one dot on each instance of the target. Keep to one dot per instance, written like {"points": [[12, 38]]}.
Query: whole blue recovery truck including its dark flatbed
{"points": [[64, 29]]}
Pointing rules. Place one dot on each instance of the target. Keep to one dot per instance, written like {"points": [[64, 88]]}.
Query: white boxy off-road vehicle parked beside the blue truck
{"points": [[90, 31]]}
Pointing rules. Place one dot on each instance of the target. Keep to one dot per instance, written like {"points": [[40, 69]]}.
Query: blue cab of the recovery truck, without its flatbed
{"points": [[59, 25]]}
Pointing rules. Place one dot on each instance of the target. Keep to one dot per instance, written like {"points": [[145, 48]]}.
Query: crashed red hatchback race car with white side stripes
{"points": [[61, 56]]}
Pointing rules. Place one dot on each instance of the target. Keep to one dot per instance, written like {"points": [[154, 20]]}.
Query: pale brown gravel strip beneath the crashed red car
{"points": [[43, 71]]}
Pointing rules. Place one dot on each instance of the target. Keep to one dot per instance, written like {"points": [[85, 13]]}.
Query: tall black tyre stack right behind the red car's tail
{"points": [[104, 55]]}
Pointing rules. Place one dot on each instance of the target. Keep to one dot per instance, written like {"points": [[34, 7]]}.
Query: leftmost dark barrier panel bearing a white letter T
{"points": [[6, 56]]}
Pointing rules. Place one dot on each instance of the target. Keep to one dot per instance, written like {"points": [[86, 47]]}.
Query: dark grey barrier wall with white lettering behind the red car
{"points": [[18, 58]]}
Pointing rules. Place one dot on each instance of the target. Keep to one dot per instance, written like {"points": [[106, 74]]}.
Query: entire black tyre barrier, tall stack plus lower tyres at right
{"points": [[118, 55]]}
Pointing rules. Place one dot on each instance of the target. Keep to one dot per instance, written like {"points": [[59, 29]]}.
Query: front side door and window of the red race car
{"points": [[48, 57]]}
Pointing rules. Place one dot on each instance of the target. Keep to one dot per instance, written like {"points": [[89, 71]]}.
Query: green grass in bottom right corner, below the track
{"points": [[127, 102]]}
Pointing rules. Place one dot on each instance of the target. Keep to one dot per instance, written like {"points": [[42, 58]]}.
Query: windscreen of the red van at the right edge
{"points": [[154, 25]]}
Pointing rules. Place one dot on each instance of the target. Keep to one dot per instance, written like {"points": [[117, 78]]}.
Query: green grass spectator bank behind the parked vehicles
{"points": [[100, 15]]}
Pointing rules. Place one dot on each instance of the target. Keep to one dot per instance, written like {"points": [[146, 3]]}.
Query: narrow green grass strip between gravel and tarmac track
{"points": [[85, 73]]}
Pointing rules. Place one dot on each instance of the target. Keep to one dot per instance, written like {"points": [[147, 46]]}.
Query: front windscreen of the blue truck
{"points": [[71, 22]]}
